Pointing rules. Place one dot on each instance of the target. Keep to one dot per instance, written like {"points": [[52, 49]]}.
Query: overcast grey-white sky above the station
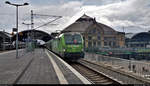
{"points": [[133, 15]]}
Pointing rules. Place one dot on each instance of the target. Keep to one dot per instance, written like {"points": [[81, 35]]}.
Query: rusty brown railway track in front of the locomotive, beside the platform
{"points": [[91, 74]]}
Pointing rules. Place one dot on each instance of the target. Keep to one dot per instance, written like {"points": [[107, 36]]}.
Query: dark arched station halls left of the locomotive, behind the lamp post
{"points": [[8, 41]]}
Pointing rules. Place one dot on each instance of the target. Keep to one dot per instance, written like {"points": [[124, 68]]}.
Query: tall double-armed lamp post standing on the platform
{"points": [[17, 5]]}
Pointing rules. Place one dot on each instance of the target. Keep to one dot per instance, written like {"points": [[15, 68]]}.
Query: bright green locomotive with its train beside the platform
{"points": [[69, 46]]}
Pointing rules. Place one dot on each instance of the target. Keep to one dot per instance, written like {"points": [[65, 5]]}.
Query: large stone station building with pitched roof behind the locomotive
{"points": [[96, 35]]}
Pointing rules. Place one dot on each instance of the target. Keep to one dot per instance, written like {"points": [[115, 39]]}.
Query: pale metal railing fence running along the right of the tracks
{"points": [[141, 68]]}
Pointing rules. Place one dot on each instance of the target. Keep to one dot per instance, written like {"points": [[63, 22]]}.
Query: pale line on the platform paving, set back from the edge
{"points": [[60, 75]]}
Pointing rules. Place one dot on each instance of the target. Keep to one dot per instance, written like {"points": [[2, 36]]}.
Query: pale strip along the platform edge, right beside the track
{"points": [[83, 79]]}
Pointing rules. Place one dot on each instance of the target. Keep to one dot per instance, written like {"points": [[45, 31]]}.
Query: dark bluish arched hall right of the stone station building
{"points": [[138, 40]]}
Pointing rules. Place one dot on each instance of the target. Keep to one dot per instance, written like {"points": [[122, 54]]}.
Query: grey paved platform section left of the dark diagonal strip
{"points": [[10, 67]]}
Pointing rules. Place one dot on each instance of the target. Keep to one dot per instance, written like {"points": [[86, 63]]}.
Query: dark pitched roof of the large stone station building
{"points": [[81, 25]]}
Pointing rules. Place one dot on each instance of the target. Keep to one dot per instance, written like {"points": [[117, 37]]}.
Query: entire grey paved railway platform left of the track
{"points": [[38, 67]]}
